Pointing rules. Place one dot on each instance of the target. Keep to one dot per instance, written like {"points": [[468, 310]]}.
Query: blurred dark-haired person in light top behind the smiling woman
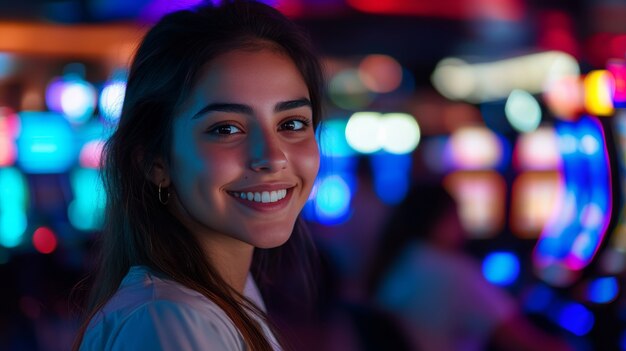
{"points": [[437, 292]]}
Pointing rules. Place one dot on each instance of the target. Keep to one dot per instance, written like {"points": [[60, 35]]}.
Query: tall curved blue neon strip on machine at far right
{"points": [[578, 226]]}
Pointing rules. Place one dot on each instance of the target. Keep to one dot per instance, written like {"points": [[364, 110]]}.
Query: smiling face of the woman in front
{"points": [[244, 155]]}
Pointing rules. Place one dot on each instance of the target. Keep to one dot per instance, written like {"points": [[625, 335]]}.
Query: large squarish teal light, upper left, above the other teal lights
{"points": [[46, 143]]}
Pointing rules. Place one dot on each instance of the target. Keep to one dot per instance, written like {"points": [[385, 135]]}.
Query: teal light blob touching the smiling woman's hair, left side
{"points": [[86, 211]]}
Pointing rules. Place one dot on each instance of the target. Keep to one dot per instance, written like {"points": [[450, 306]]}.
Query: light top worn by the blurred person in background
{"points": [[443, 299]]}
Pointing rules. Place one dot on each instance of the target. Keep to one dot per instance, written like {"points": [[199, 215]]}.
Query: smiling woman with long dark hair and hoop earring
{"points": [[212, 161]]}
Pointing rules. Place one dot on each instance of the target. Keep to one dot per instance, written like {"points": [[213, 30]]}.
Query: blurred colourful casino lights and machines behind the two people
{"points": [[517, 106]]}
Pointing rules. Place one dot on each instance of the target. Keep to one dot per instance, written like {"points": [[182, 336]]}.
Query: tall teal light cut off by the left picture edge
{"points": [[13, 221]]}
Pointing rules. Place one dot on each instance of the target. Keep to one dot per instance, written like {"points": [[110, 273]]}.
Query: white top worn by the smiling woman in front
{"points": [[149, 312]]}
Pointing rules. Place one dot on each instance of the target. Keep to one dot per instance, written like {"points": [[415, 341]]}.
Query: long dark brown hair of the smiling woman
{"points": [[138, 230]]}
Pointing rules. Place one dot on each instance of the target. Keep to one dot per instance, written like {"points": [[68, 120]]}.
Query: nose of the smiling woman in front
{"points": [[266, 154]]}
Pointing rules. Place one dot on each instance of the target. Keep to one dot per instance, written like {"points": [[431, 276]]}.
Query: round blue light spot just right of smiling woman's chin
{"points": [[332, 201]]}
